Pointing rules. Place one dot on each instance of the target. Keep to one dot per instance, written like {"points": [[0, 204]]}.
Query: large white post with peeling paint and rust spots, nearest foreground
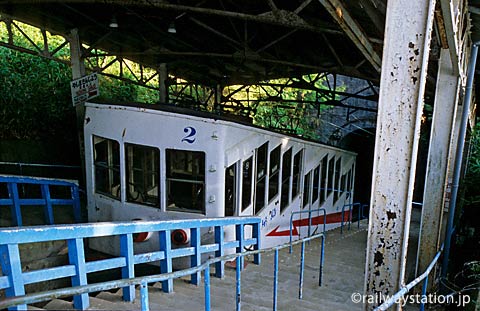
{"points": [[404, 70]]}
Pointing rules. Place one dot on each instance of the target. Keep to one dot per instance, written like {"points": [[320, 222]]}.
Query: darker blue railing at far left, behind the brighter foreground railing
{"points": [[16, 201]]}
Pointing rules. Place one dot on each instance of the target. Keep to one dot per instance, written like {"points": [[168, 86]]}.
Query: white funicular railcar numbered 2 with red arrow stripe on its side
{"points": [[163, 162]]}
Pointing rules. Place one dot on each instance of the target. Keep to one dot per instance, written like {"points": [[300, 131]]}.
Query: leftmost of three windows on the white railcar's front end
{"points": [[106, 155]]}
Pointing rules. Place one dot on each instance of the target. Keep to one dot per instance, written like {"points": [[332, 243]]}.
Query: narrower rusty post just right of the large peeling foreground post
{"points": [[446, 97]]}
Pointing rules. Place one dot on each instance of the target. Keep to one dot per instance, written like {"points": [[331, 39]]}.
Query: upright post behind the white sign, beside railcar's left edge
{"points": [[78, 71]]}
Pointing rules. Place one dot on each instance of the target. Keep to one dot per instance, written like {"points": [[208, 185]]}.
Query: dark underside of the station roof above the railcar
{"points": [[225, 41]]}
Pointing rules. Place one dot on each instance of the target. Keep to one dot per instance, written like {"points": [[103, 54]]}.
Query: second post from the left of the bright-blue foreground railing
{"points": [[76, 256]]}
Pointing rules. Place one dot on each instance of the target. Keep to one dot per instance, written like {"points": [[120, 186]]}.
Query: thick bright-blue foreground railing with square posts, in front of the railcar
{"points": [[14, 279]]}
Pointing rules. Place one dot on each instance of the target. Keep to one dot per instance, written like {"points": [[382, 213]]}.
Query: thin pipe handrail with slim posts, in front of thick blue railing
{"points": [[144, 280]]}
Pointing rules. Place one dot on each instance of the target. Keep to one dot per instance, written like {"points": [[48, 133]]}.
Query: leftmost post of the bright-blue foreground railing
{"points": [[11, 267]]}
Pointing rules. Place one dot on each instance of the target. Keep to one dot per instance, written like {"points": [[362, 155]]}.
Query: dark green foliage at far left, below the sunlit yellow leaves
{"points": [[34, 101]]}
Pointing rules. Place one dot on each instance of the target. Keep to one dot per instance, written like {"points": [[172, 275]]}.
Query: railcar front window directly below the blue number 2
{"points": [[185, 181]]}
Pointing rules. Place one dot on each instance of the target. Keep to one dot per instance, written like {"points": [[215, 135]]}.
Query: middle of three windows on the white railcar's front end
{"points": [[143, 168]]}
